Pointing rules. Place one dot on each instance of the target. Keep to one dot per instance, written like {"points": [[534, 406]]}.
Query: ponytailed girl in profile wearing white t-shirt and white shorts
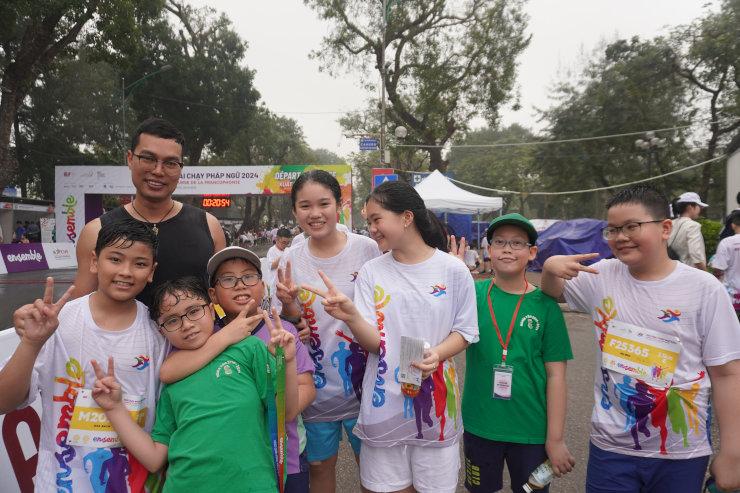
{"points": [[410, 433]]}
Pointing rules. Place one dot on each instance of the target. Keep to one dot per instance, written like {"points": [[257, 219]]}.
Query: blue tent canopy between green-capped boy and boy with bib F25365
{"points": [[570, 238]]}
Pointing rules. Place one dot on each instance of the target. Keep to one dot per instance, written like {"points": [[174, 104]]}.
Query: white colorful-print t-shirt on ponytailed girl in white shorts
{"points": [[428, 300]]}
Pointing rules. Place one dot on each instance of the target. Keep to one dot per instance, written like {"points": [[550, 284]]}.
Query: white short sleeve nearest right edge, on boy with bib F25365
{"points": [[722, 337]]}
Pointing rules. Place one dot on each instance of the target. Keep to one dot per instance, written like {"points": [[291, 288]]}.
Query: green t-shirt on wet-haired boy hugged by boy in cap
{"points": [[214, 423]]}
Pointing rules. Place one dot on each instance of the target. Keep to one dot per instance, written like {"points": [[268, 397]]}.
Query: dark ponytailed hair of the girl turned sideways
{"points": [[398, 197]]}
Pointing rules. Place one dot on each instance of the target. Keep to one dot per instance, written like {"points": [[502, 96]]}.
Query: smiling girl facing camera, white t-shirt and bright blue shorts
{"points": [[339, 360]]}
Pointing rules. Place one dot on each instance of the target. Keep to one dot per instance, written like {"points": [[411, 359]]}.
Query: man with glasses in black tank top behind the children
{"points": [[188, 236]]}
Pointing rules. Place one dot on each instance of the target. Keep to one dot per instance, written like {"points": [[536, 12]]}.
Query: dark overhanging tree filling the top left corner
{"points": [[33, 34]]}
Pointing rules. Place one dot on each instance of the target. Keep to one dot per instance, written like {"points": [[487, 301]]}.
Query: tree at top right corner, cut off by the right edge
{"points": [[707, 55]]}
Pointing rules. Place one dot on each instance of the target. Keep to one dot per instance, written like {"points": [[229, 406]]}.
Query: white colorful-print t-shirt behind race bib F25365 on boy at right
{"points": [[630, 416]]}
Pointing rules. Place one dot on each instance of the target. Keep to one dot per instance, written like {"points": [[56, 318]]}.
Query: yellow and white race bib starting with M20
{"points": [[90, 426]]}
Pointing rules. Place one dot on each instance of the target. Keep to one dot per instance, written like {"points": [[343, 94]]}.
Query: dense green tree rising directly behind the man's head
{"points": [[207, 94]]}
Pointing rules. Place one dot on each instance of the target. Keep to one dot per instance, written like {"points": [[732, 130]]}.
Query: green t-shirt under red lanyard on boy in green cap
{"points": [[539, 336]]}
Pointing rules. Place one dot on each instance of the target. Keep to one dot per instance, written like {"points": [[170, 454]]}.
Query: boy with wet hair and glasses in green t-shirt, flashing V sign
{"points": [[211, 426]]}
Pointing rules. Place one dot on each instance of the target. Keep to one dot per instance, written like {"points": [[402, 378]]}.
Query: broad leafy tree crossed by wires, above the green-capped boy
{"points": [[630, 86]]}
